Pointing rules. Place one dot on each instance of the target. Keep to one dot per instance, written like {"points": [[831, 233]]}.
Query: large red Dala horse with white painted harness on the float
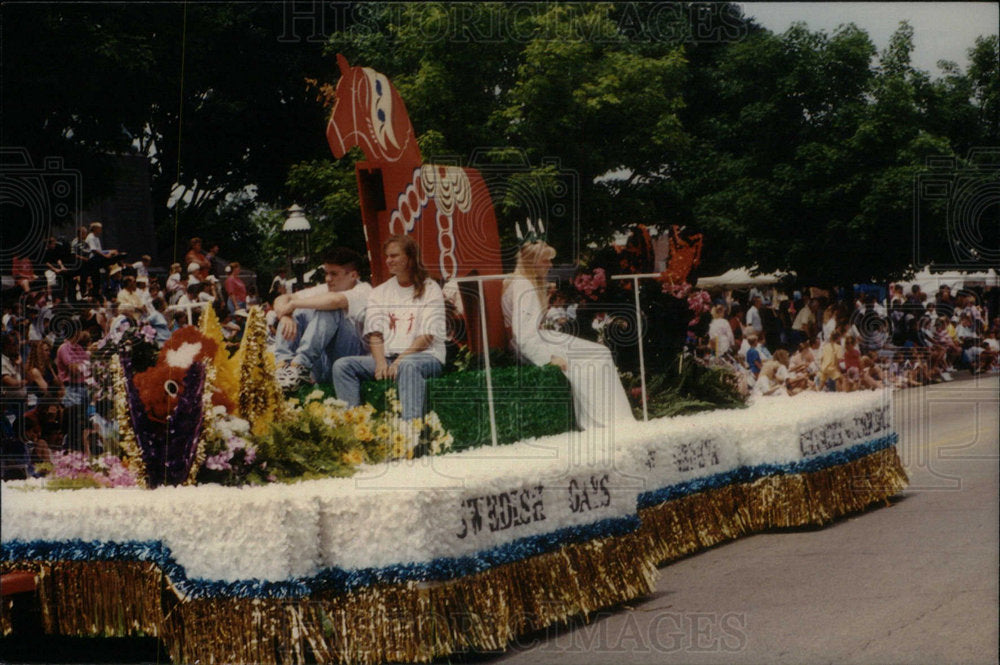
{"points": [[447, 209]]}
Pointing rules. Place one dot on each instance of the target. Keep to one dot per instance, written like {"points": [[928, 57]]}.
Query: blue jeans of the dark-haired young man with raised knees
{"points": [[322, 337]]}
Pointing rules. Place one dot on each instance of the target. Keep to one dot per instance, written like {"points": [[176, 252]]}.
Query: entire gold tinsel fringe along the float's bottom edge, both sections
{"points": [[417, 622]]}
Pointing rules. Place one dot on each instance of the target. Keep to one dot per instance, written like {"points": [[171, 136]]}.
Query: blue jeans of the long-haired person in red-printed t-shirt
{"points": [[414, 370]]}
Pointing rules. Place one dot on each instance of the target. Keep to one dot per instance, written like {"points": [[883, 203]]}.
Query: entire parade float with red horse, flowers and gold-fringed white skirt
{"points": [[424, 545]]}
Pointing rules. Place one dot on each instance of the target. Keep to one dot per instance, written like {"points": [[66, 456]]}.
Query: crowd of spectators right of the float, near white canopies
{"points": [[836, 341]]}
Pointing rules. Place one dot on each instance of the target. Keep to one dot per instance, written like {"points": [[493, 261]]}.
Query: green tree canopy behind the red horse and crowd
{"points": [[798, 151]]}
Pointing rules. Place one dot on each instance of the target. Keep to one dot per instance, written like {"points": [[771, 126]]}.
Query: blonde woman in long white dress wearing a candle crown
{"points": [[598, 396]]}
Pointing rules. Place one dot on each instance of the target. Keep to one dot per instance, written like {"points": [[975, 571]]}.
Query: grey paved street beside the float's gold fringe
{"points": [[915, 582]]}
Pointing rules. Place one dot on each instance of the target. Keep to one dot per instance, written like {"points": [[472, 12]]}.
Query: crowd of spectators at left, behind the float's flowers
{"points": [[63, 316]]}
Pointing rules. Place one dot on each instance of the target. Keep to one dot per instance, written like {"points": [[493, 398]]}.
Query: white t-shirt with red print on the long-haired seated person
{"points": [[393, 311]]}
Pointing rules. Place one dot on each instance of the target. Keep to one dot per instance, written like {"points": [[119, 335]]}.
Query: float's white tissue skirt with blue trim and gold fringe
{"points": [[412, 560]]}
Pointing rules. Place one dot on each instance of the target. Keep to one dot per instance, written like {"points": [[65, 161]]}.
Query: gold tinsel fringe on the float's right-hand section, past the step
{"points": [[683, 526]]}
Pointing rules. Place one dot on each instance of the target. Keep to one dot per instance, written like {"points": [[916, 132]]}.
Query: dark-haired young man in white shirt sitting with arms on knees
{"points": [[318, 325]]}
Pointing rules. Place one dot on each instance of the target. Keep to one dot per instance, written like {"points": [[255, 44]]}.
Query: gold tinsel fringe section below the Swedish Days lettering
{"points": [[412, 622]]}
